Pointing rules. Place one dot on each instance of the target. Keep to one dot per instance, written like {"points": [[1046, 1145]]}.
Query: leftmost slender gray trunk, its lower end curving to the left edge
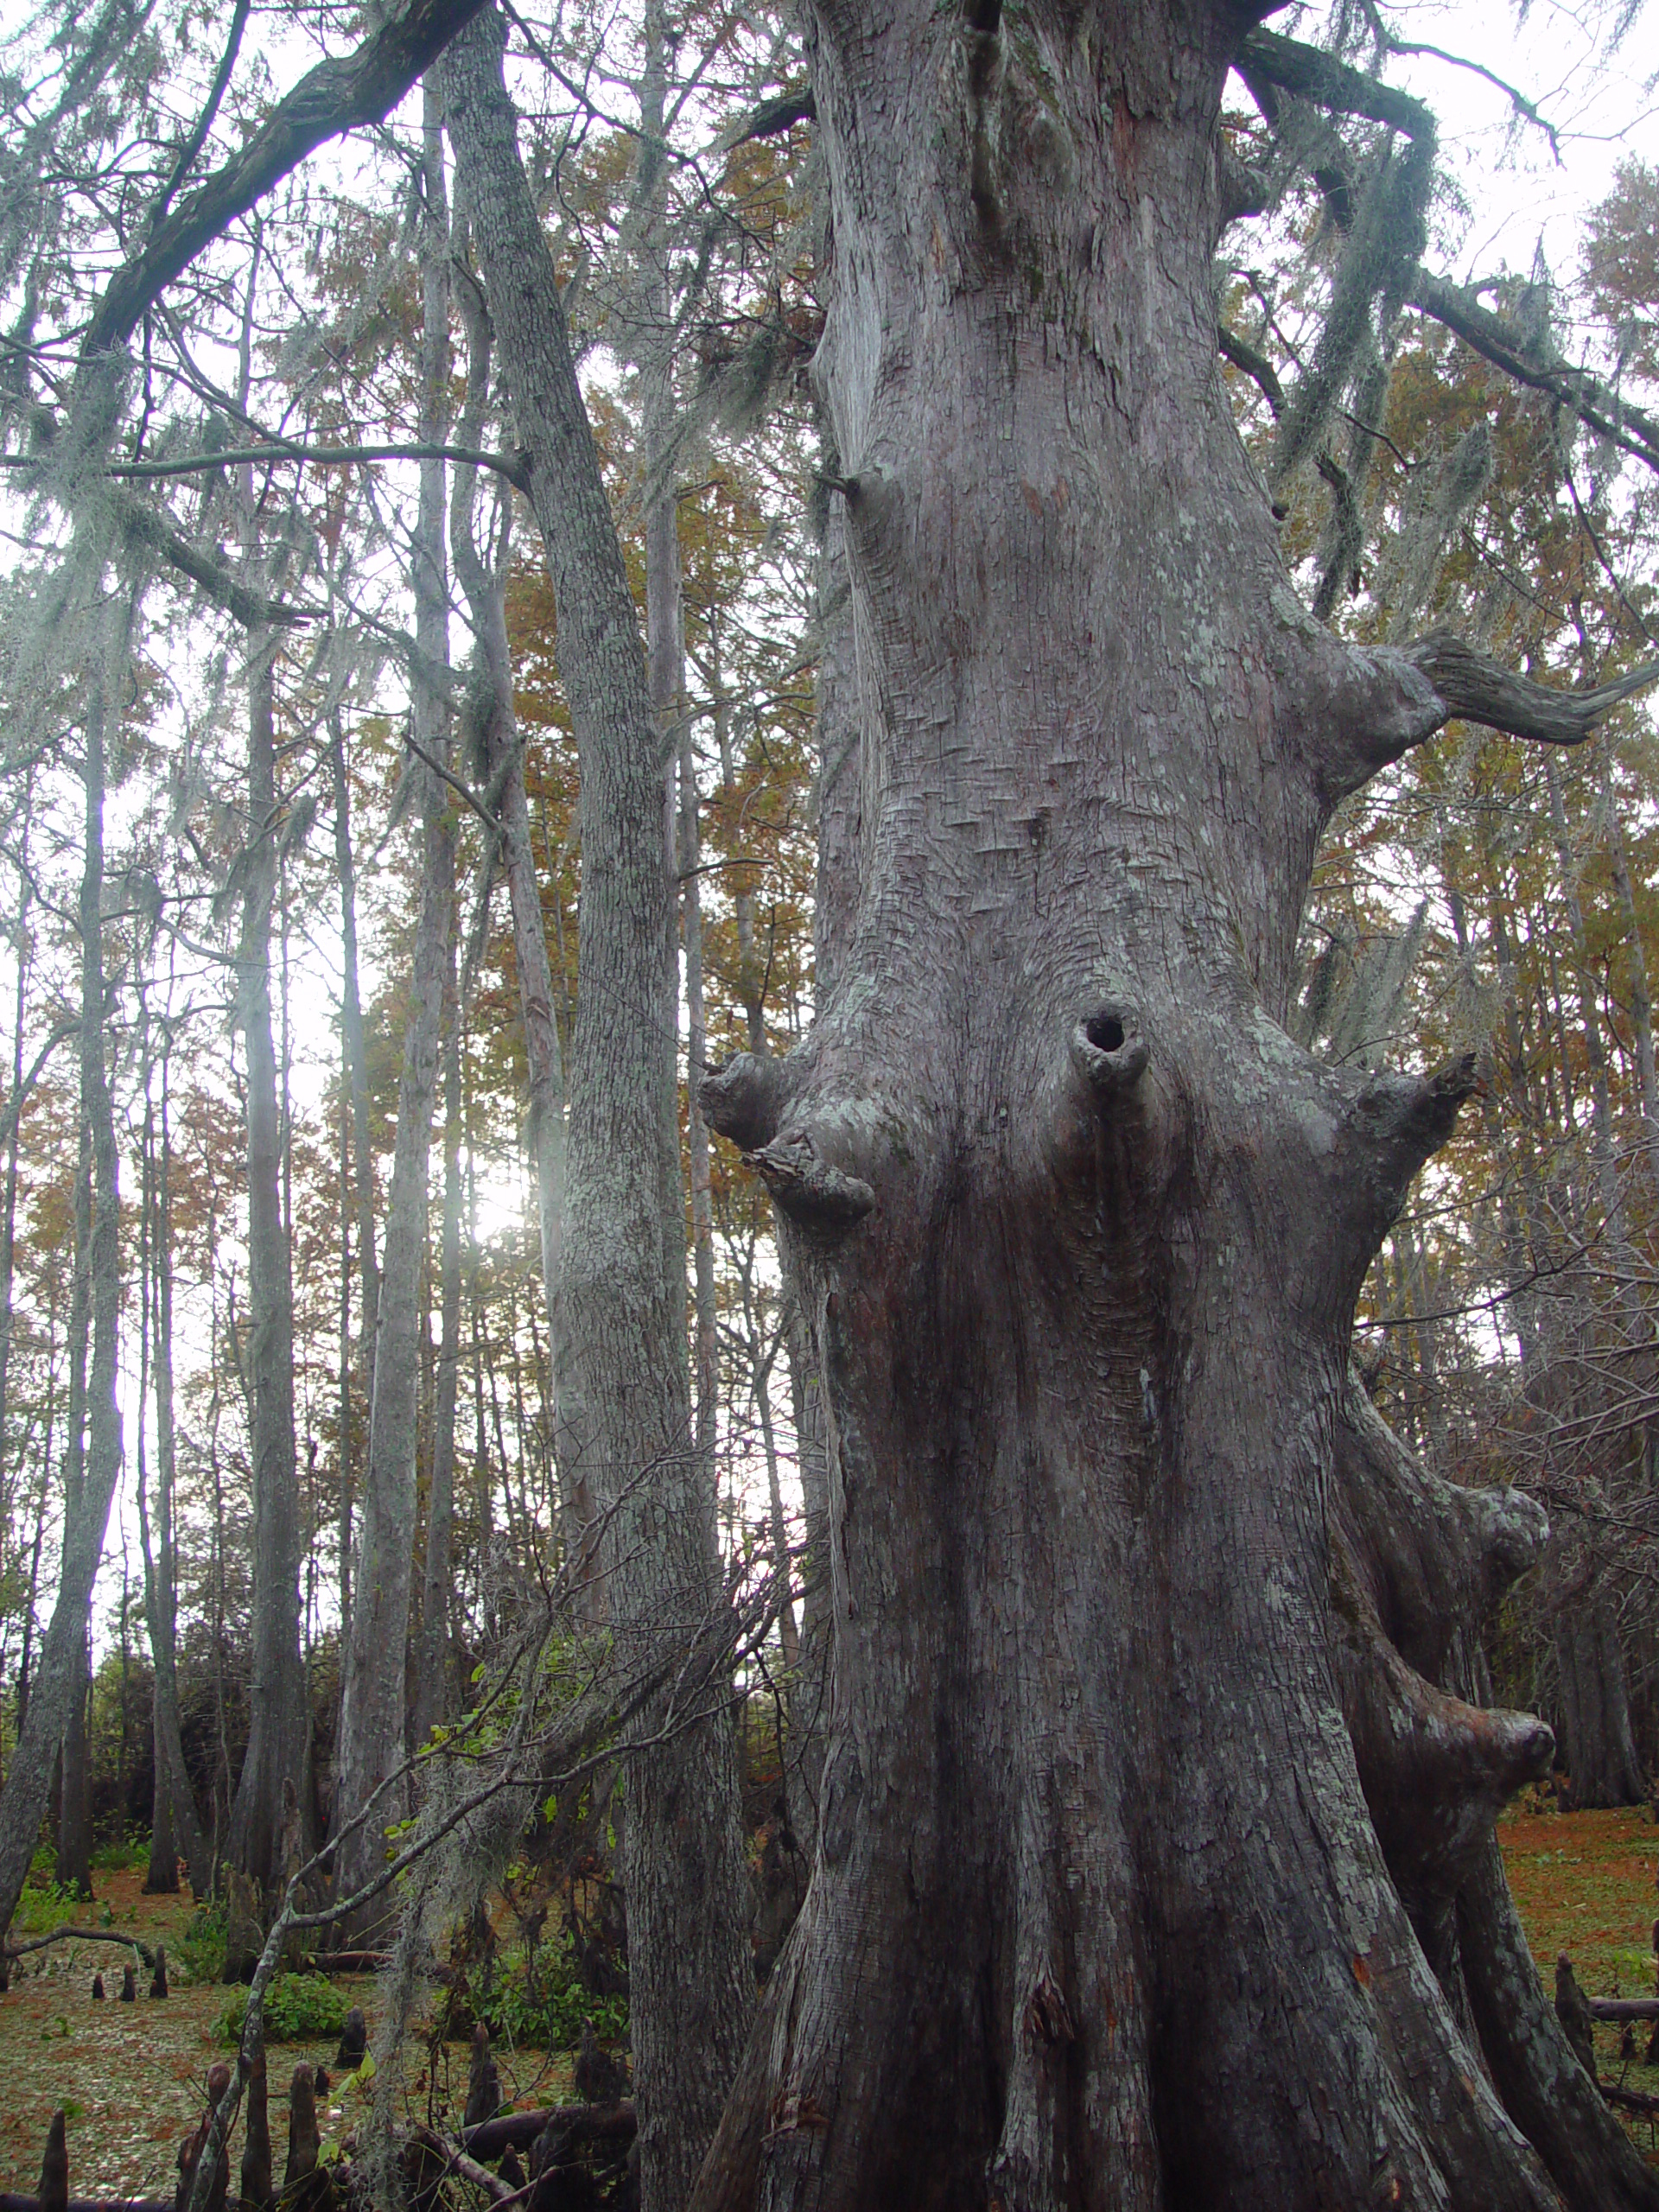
{"points": [[87, 1499]]}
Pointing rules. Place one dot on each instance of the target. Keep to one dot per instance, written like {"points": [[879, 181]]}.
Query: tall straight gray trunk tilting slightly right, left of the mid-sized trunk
{"points": [[375, 1671]]}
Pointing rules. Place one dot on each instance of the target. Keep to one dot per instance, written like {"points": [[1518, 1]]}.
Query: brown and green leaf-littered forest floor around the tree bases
{"points": [[132, 2076]]}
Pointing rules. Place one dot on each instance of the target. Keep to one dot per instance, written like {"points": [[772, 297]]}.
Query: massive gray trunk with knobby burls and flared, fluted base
{"points": [[1156, 1841]]}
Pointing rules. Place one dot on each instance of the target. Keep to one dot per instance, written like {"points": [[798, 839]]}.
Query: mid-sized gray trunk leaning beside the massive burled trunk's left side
{"points": [[625, 1417]]}
